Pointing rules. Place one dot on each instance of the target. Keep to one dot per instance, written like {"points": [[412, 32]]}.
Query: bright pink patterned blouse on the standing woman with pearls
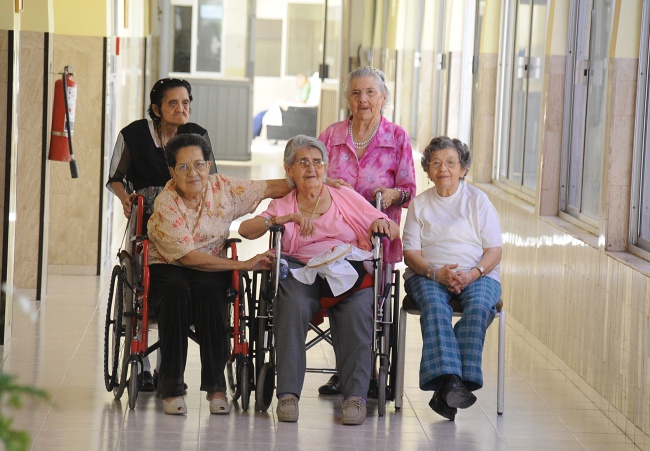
{"points": [[387, 162]]}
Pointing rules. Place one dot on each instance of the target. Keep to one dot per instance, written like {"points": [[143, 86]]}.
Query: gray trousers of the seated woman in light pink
{"points": [[351, 321]]}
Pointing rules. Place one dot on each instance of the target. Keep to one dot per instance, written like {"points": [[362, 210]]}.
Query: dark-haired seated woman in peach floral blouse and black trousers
{"points": [[189, 269]]}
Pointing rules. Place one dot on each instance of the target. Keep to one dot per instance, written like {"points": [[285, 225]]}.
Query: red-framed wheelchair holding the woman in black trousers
{"points": [[128, 320]]}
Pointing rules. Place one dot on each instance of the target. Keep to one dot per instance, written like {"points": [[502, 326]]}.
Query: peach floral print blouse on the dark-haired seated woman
{"points": [[174, 230]]}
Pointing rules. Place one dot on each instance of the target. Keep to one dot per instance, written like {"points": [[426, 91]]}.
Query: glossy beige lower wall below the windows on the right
{"points": [[588, 308]]}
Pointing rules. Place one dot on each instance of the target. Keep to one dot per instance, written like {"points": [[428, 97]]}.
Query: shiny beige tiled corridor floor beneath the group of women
{"points": [[57, 344]]}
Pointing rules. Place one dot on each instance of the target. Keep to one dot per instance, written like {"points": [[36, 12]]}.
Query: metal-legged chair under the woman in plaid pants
{"points": [[408, 306]]}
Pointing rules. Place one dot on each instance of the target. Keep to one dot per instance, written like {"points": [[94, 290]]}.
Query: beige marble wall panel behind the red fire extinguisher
{"points": [[74, 206]]}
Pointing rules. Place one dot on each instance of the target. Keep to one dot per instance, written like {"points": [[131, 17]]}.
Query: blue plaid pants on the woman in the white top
{"points": [[448, 349]]}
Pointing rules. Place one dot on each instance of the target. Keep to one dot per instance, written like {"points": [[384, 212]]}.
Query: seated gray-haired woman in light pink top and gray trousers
{"points": [[320, 224]]}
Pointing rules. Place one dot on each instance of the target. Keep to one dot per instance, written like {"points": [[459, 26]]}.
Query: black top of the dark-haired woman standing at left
{"points": [[138, 162]]}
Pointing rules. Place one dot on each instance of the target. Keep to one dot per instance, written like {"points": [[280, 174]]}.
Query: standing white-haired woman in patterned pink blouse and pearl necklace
{"points": [[369, 153]]}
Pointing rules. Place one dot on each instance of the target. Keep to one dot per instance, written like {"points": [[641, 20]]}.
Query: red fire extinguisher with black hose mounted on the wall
{"points": [[63, 114]]}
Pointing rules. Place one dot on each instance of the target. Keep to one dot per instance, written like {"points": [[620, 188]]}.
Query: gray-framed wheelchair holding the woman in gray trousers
{"points": [[385, 334]]}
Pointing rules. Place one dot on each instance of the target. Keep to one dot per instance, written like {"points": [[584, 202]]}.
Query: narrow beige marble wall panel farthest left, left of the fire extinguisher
{"points": [[30, 159]]}
